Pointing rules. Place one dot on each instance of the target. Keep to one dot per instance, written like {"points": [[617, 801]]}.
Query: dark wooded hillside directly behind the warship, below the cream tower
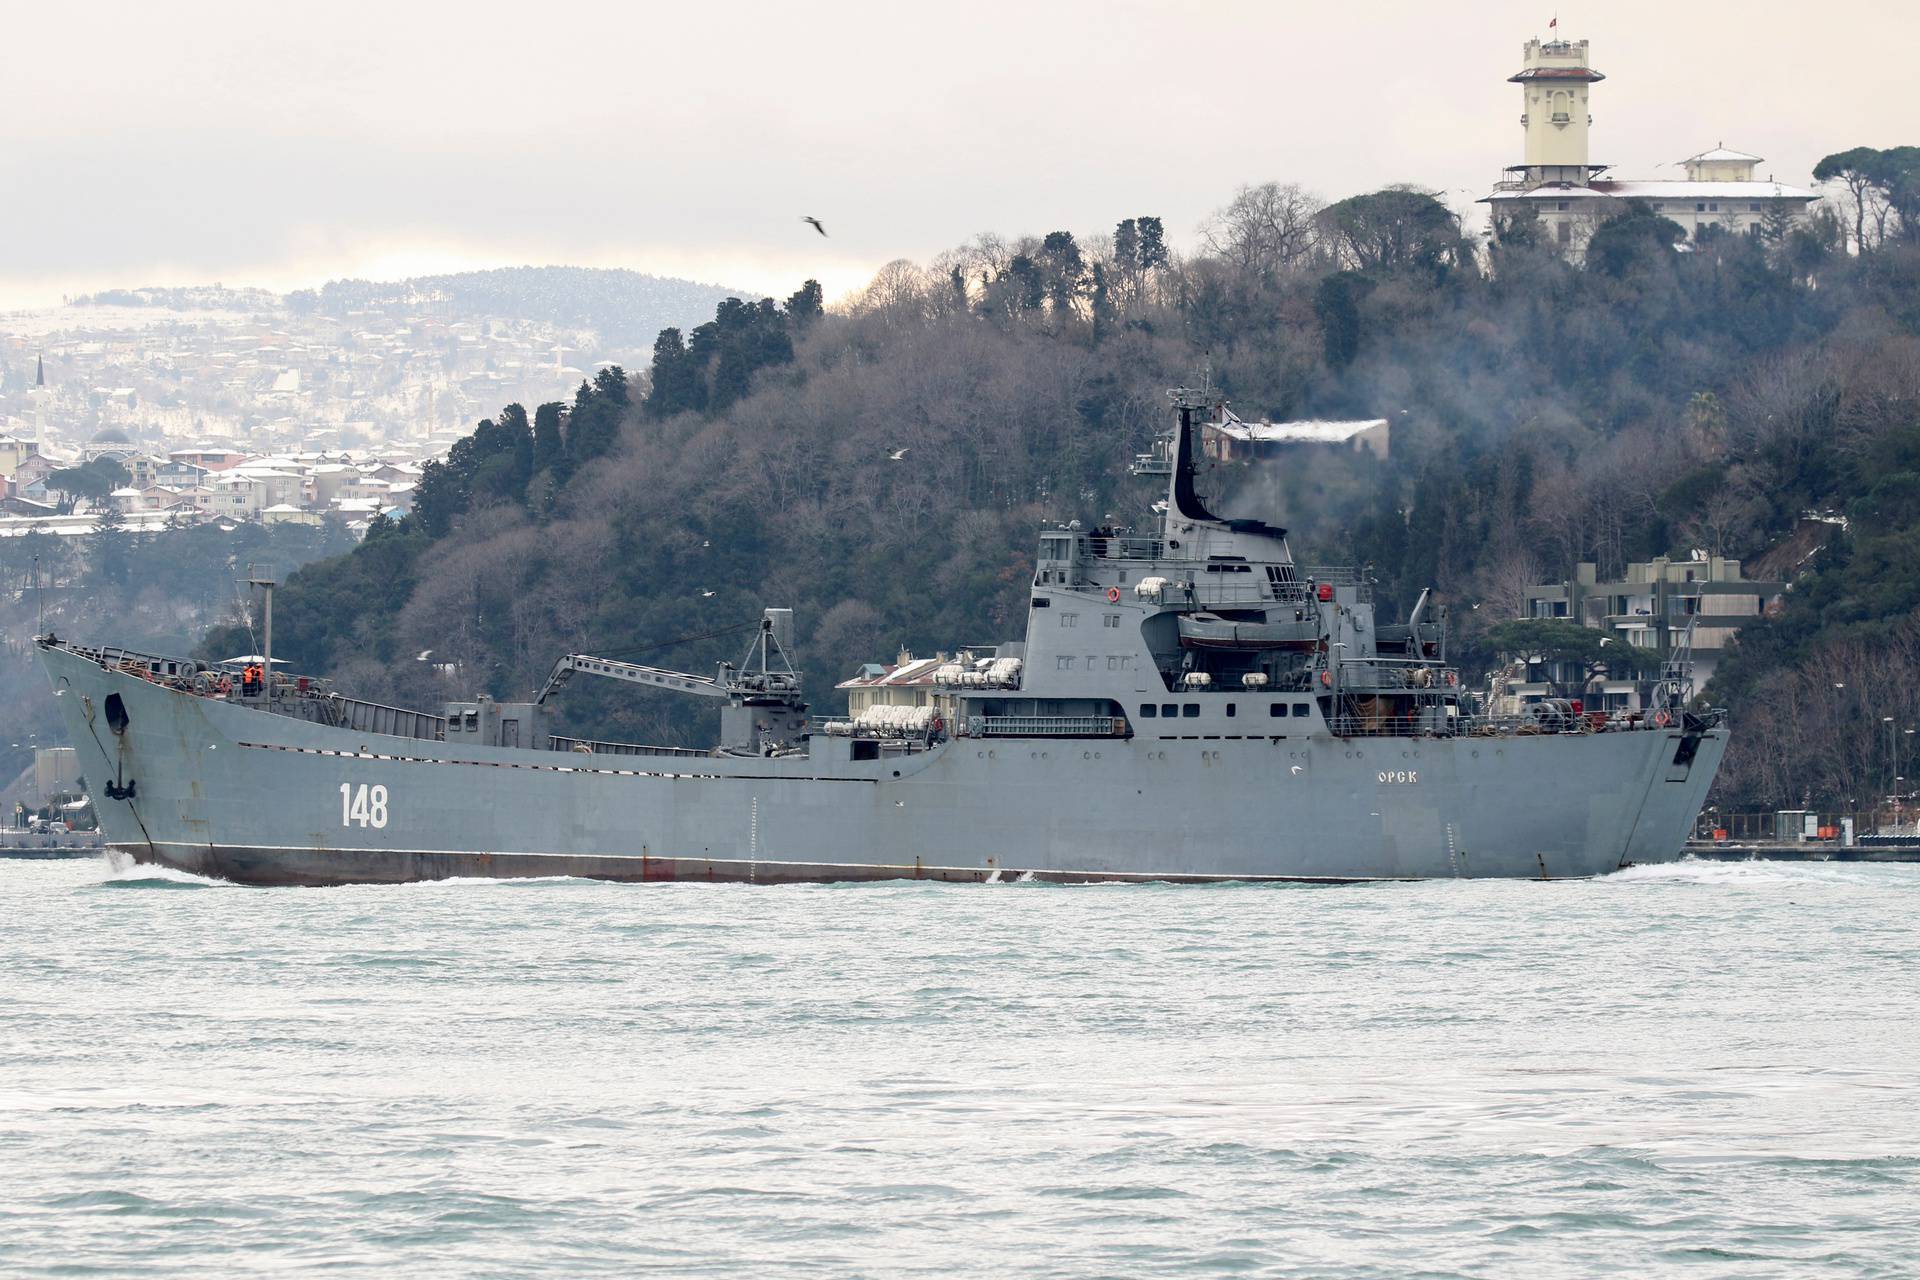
{"points": [[1650, 402]]}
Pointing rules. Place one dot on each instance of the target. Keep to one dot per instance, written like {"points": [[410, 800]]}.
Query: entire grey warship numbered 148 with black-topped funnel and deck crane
{"points": [[1188, 705]]}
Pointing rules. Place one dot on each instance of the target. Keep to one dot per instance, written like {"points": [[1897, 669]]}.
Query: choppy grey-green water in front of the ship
{"points": [[1704, 1070]]}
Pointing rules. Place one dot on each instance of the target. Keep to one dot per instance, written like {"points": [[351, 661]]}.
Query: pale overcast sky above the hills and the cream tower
{"points": [[291, 145]]}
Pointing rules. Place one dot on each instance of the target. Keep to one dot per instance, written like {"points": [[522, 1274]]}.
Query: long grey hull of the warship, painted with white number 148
{"points": [[262, 799]]}
